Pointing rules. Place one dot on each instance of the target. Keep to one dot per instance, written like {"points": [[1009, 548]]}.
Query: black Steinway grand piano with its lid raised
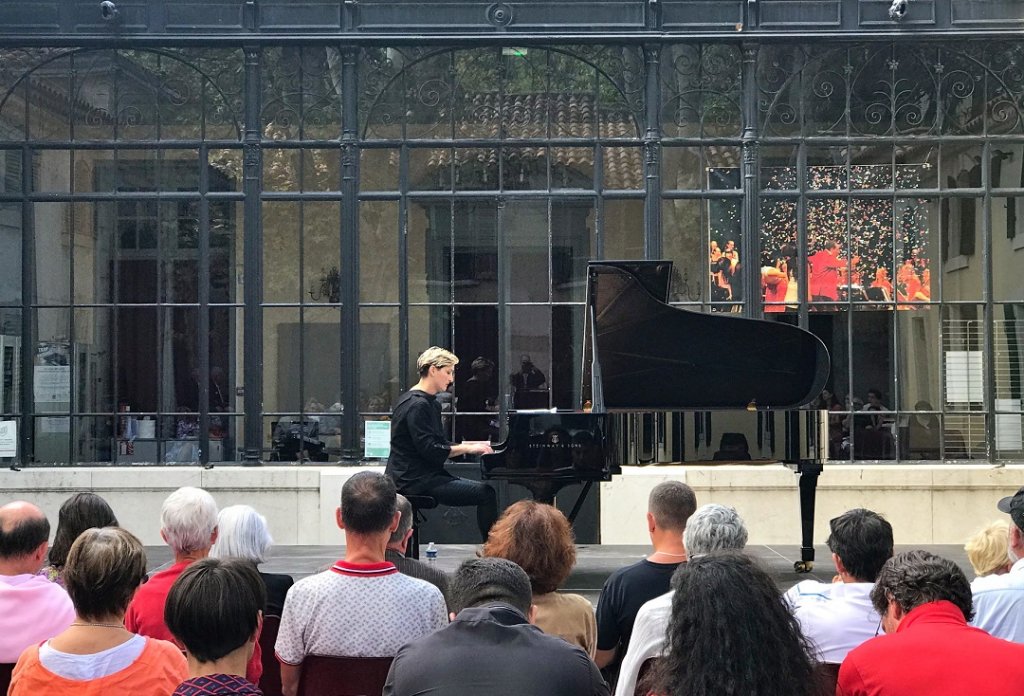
{"points": [[654, 378]]}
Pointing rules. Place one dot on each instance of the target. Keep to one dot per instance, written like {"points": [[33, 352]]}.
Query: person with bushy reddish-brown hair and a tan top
{"points": [[539, 540]]}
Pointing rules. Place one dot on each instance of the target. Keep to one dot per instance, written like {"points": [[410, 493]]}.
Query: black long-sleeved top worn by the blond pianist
{"points": [[419, 448]]}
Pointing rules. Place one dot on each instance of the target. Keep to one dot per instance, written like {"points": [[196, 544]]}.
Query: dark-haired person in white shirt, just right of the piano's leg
{"points": [[838, 617]]}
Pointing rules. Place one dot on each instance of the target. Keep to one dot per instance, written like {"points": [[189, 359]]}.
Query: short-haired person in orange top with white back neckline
{"points": [[97, 656]]}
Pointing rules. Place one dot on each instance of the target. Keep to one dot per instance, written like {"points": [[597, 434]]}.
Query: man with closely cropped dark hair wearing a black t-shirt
{"points": [[669, 507]]}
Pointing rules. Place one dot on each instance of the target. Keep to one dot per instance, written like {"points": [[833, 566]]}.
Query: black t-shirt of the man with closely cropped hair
{"points": [[625, 592]]}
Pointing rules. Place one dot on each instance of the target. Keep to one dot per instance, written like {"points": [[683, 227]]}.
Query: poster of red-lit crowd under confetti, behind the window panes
{"points": [[862, 250]]}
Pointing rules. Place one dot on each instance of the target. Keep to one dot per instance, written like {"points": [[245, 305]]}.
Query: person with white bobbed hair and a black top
{"points": [[242, 533]]}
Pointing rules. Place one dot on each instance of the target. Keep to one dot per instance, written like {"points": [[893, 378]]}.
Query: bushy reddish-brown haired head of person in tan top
{"points": [[539, 540]]}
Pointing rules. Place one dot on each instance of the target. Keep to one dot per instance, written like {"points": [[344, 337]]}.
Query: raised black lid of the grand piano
{"points": [[654, 357]]}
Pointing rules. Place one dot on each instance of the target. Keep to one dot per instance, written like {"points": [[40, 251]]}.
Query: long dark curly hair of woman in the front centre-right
{"points": [[731, 634]]}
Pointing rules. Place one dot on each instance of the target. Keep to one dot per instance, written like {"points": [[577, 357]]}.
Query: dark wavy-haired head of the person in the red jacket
{"points": [[917, 578]]}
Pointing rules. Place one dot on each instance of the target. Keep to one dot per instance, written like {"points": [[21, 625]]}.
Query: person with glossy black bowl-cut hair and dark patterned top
{"points": [[215, 610]]}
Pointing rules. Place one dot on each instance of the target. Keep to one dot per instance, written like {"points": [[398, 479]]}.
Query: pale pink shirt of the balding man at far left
{"points": [[32, 611]]}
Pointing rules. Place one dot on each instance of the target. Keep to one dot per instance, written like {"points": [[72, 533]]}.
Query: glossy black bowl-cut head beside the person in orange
{"points": [[215, 607]]}
